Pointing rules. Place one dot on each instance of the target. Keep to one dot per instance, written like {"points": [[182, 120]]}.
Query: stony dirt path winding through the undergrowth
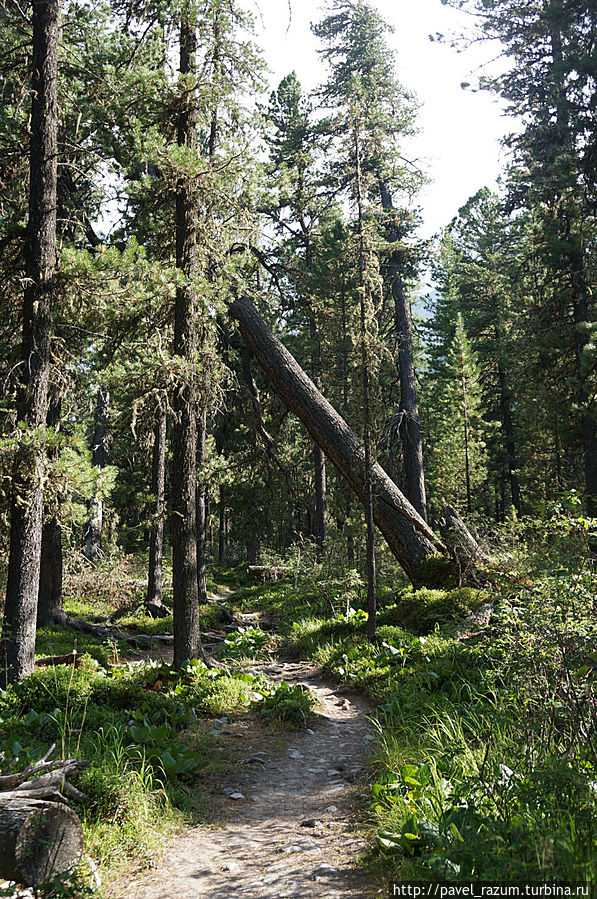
{"points": [[290, 831]]}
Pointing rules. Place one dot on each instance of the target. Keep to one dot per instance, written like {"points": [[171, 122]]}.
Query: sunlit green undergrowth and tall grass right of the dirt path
{"points": [[485, 764]]}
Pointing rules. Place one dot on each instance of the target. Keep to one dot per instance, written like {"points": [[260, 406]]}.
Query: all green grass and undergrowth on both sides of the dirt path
{"points": [[485, 761]]}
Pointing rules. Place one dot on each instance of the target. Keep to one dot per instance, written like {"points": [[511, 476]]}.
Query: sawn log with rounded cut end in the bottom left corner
{"points": [[38, 839]]}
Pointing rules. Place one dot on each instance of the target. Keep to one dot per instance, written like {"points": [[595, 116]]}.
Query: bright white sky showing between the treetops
{"points": [[458, 144]]}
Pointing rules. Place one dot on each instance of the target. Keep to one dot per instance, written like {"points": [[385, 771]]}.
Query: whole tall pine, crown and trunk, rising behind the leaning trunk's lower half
{"points": [[362, 63]]}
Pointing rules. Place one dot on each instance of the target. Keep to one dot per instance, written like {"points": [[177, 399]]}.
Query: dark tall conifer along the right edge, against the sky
{"points": [[551, 87]]}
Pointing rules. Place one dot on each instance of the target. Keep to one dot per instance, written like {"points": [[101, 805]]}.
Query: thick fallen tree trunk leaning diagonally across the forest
{"points": [[409, 537]]}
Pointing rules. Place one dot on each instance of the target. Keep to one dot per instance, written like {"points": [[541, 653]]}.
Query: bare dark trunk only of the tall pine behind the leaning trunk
{"points": [[410, 428]]}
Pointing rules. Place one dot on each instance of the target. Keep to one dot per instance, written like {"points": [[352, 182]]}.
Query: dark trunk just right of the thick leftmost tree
{"points": [[49, 603]]}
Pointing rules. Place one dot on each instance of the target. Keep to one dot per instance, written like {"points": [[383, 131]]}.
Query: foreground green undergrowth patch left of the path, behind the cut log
{"points": [[145, 729]]}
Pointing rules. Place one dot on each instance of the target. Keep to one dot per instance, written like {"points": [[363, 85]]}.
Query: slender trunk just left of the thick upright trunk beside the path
{"points": [[158, 488]]}
